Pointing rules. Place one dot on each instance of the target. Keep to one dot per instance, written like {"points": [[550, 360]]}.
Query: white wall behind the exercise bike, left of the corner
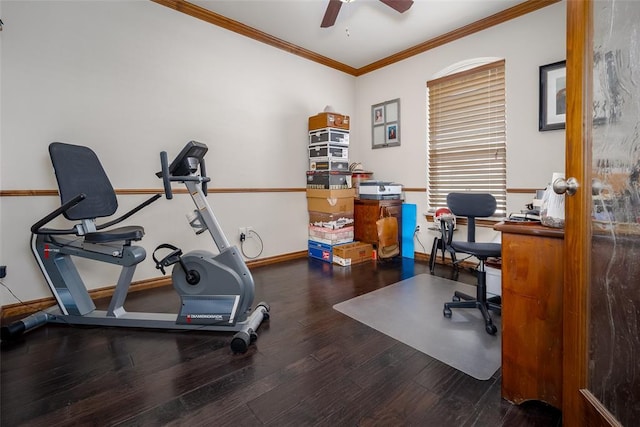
{"points": [[133, 78]]}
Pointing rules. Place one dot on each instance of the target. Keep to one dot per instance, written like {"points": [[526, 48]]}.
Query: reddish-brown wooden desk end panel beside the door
{"points": [[532, 282]]}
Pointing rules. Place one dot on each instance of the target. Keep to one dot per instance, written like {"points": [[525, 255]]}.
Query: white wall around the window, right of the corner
{"points": [[525, 43]]}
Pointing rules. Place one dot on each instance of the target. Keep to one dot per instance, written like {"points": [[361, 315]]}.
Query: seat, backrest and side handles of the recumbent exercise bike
{"points": [[86, 194]]}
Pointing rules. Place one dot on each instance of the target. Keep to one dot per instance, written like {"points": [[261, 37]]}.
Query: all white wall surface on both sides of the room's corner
{"points": [[133, 78]]}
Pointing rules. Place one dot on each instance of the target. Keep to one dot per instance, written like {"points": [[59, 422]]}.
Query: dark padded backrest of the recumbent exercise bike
{"points": [[78, 171]]}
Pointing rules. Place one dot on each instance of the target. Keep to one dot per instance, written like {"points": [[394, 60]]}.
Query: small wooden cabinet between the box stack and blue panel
{"points": [[367, 212]]}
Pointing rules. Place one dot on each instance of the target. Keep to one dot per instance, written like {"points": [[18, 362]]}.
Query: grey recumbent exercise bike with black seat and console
{"points": [[216, 291]]}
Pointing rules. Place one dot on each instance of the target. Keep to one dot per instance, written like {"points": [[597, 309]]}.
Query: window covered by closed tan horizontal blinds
{"points": [[467, 137]]}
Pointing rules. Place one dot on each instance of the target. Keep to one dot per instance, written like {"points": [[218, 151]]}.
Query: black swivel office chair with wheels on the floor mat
{"points": [[472, 206]]}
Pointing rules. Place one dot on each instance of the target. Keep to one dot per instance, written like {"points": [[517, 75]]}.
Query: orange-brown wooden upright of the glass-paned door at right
{"points": [[579, 406]]}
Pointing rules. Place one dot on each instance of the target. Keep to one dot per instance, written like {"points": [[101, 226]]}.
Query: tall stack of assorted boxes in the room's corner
{"points": [[330, 198]]}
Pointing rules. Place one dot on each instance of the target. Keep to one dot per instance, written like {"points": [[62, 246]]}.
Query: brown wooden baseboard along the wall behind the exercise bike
{"points": [[26, 308]]}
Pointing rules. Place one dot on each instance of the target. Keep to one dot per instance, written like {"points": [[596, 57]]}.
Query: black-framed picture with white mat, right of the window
{"points": [[553, 96]]}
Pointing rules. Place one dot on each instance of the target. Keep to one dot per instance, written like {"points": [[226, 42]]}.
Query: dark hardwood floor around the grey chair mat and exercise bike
{"points": [[311, 365]]}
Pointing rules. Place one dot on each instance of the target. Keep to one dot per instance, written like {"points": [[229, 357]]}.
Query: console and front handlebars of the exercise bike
{"points": [[184, 167]]}
